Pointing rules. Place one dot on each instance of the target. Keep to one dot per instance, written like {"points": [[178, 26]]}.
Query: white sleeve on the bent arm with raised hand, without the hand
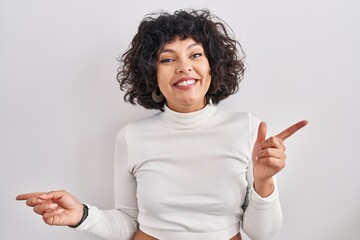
{"points": [[263, 216]]}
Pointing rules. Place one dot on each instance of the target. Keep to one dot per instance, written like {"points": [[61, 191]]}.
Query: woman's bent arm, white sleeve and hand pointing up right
{"points": [[263, 217]]}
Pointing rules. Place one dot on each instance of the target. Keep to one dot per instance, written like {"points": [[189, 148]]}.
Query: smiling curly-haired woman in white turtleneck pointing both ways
{"points": [[191, 171]]}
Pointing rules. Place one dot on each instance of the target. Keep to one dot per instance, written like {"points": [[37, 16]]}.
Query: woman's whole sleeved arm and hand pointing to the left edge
{"points": [[62, 209]]}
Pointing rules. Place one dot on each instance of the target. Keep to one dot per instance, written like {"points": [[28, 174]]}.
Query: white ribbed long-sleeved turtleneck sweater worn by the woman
{"points": [[187, 176]]}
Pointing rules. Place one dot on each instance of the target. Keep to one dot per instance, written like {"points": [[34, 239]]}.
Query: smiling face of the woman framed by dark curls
{"points": [[183, 74]]}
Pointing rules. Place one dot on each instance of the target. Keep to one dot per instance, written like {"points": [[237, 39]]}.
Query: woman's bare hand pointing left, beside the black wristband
{"points": [[56, 207]]}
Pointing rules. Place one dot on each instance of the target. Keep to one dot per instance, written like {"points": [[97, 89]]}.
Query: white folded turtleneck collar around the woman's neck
{"points": [[188, 120]]}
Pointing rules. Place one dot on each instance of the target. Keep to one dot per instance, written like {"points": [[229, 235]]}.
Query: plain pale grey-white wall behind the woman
{"points": [[61, 107]]}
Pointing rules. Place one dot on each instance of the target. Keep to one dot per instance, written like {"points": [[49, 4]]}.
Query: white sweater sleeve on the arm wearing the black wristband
{"points": [[119, 223]]}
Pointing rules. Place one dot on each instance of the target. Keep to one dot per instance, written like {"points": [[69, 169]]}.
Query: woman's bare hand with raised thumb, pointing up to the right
{"points": [[269, 157]]}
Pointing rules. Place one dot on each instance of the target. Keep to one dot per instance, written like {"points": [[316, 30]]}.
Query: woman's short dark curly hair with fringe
{"points": [[138, 76]]}
